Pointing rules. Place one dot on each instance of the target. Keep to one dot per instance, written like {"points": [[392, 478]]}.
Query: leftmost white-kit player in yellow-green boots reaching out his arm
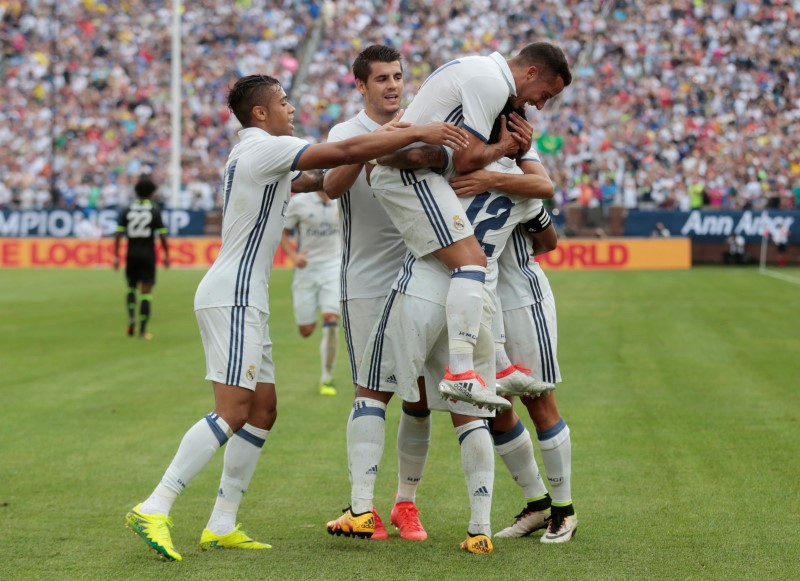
{"points": [[232, 308]]}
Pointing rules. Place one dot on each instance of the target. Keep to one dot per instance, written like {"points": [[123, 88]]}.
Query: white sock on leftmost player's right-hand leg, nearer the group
{"points": [[241, 459]]}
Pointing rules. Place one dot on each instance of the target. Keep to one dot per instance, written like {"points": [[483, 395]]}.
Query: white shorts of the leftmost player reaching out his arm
{"points": [[237, 345]]}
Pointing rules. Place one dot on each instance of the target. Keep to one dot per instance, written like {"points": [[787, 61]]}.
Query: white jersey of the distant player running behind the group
{"points": [[316, 228]]}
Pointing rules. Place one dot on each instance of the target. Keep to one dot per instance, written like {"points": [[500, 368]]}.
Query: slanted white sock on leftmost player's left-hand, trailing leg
{"points": [[197, 448]]}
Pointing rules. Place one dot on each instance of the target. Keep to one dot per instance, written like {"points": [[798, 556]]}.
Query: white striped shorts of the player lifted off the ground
{"points": [[426, 212]]}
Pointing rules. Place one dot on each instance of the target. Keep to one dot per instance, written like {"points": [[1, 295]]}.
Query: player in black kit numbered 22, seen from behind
{"points": [[140, 222]]}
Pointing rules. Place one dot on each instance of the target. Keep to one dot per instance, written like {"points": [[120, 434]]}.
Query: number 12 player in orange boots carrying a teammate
{"points": [[410, 338]]}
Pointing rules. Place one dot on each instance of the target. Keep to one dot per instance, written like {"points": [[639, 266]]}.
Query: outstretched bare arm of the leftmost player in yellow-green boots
{"points": [[366, 147]]}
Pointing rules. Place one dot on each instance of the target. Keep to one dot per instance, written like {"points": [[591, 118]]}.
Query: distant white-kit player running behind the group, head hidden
{"points": [[311, 241]]}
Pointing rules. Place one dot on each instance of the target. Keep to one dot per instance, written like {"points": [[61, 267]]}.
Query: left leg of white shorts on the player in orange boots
{"points": [[399, 344]]}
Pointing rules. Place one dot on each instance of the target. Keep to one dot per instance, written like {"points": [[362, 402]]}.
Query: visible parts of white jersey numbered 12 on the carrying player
{"points": [[493, 215]]}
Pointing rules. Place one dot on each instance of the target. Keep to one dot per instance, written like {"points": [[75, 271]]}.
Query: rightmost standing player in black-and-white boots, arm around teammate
{"points": [[527, 328]]}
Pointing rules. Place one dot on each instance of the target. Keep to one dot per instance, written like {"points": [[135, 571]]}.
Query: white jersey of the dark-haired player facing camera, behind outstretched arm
{"points": [[372, 248]]}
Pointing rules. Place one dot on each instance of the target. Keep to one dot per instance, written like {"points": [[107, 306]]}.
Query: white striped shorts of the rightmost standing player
{"points": [[532, 339]]}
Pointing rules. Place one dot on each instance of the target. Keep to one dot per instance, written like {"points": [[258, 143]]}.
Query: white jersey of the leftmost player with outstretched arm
{"points": [[257, 183]]}
